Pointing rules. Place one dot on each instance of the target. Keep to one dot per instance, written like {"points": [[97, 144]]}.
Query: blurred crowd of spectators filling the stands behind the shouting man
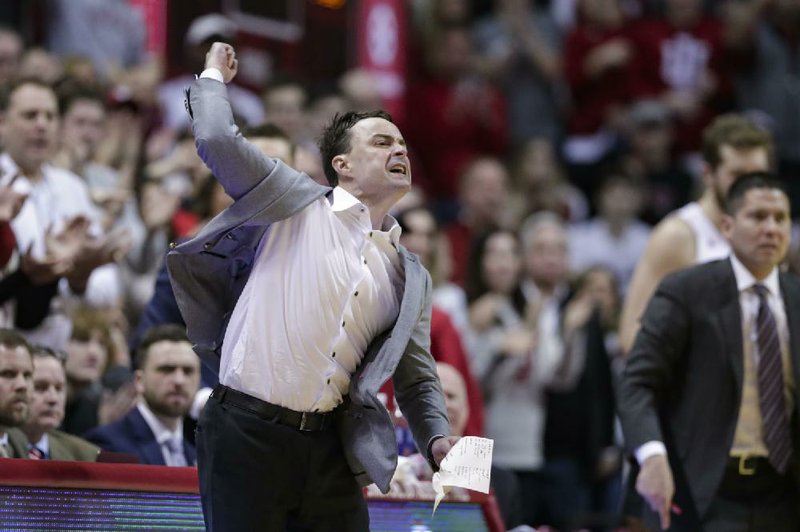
{"points": [[546, 139]]}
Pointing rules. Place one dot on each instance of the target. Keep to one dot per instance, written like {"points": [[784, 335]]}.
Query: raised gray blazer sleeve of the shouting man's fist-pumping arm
{"points": [[238, 165]]}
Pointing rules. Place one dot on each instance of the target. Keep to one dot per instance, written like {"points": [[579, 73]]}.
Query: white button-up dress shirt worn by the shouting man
{"points": [[324, 284]]}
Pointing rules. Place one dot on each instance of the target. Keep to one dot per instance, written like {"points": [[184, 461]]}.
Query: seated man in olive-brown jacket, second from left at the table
{"points": [[47, 412]]}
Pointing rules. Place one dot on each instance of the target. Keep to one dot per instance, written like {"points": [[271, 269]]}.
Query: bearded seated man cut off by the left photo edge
{"points": [[16, 384]]}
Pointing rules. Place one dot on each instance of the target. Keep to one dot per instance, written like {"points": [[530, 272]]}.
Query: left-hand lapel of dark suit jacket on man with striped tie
{"points": [[730, 320]]}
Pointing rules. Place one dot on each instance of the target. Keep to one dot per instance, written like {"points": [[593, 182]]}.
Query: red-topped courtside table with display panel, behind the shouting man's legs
{"points": [[54, 495]]}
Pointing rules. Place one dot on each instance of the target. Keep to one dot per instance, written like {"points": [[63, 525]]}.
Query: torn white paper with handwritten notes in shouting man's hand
{"points": [[467, 465]]}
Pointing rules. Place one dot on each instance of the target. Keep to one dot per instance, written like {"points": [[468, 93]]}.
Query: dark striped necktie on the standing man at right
{"points": [[771, 386]]}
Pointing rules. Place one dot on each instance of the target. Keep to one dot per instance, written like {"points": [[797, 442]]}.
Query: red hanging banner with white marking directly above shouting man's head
{"points": [[382, 34]]}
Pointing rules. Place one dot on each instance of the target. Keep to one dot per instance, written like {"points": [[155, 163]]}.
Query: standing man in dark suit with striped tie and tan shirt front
{"points": [[708, 400]]}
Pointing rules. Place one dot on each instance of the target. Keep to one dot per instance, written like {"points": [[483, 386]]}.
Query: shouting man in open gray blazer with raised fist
{"points": [[302, 298]]}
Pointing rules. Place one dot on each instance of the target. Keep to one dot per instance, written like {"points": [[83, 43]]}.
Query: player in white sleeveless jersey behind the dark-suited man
{"points": [[732, 146]]}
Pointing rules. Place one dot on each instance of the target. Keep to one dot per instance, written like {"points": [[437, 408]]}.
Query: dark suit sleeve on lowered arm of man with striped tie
{"points": [[652, 363]]}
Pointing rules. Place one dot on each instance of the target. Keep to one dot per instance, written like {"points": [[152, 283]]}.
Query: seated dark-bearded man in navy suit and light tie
{"points": [[166, 379]]}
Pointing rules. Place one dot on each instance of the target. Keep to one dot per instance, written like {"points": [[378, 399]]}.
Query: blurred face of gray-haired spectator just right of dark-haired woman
{"points": [[546, 256]]}
